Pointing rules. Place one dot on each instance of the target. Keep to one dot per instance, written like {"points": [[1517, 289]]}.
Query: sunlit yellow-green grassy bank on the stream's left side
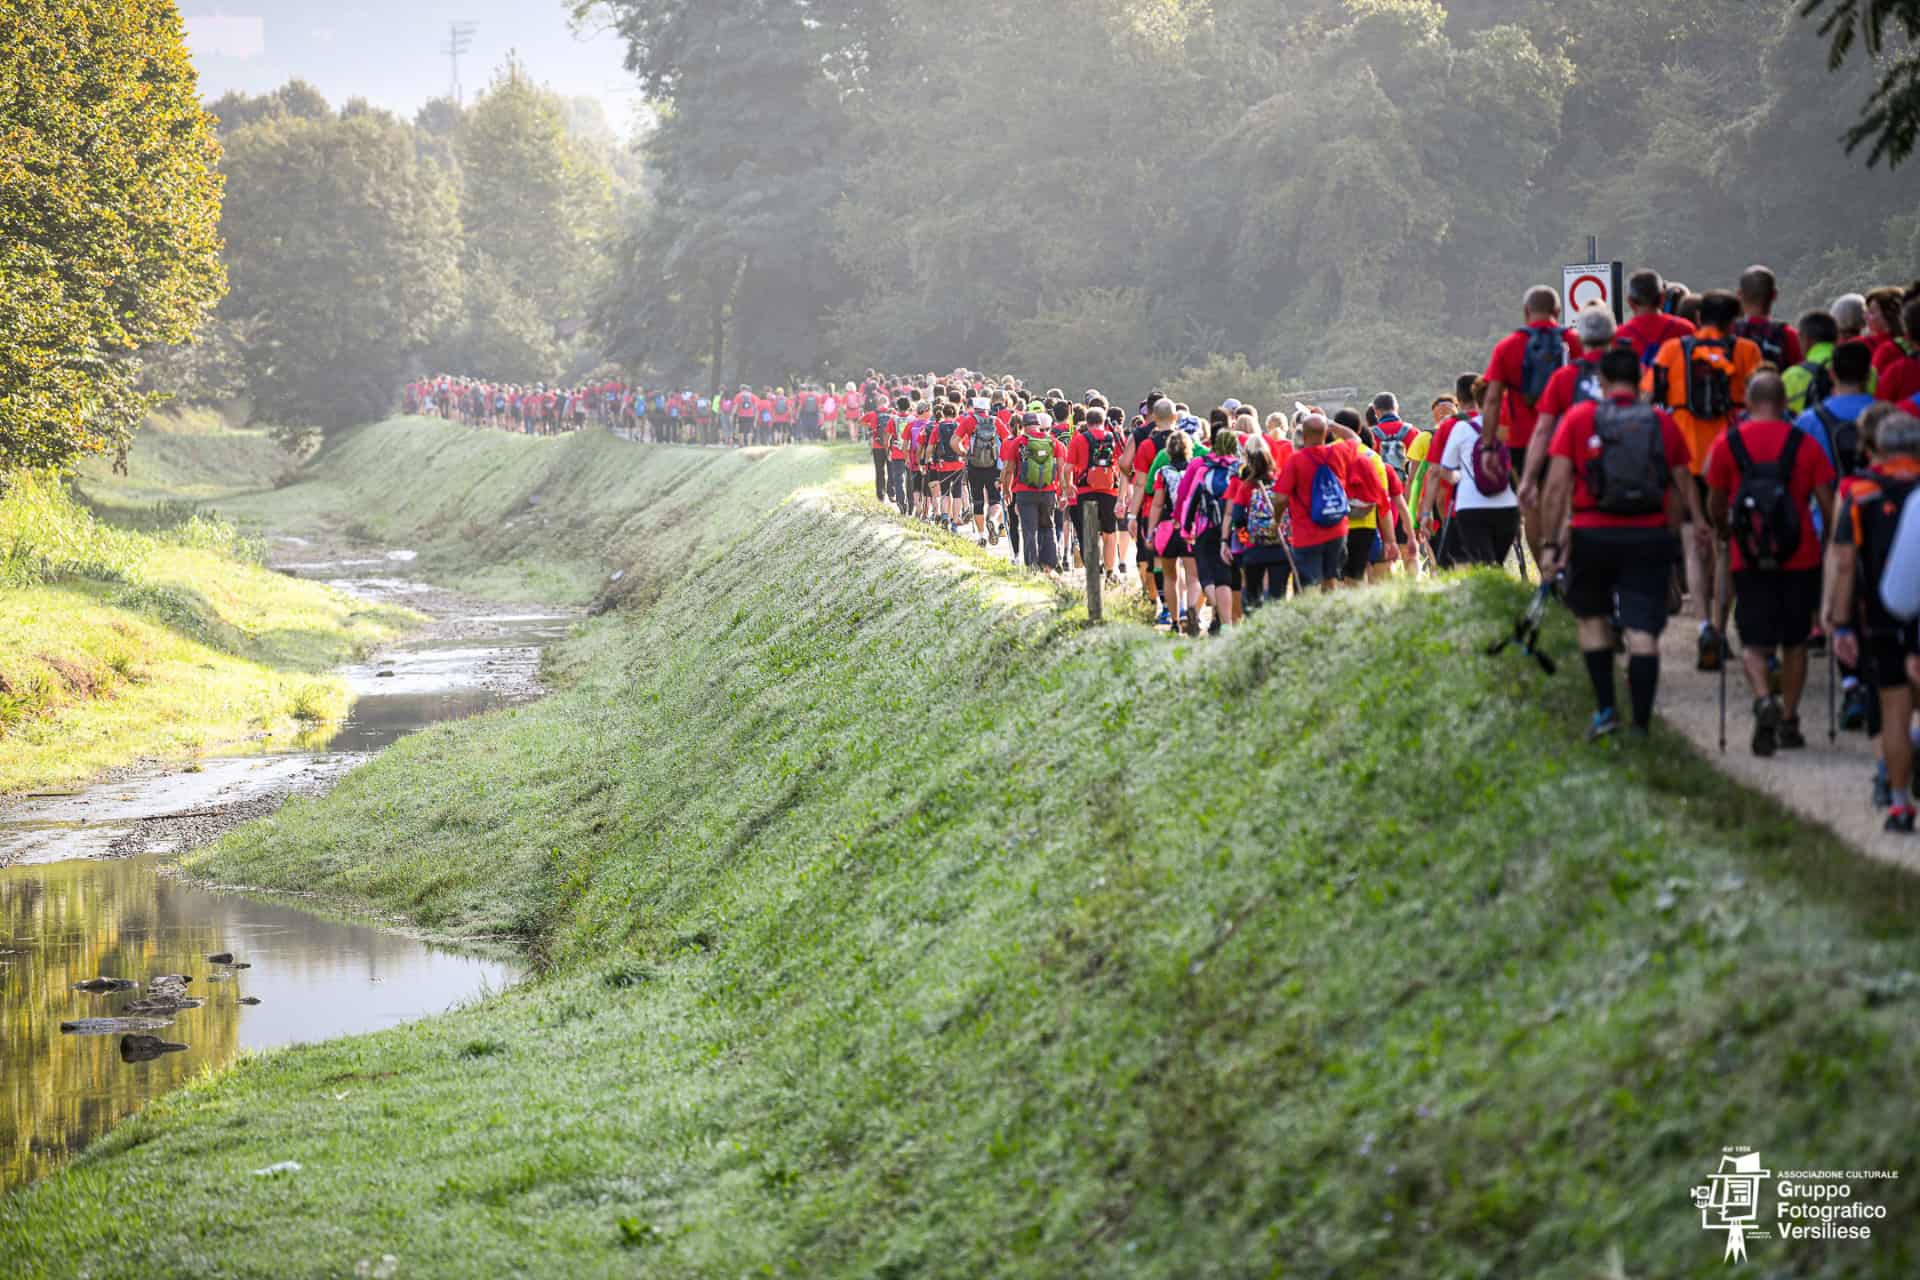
{"points": [[162, 640]]}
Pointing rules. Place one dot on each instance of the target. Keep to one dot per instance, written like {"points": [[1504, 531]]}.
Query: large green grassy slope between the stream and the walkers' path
{"points": [[898, 926]]}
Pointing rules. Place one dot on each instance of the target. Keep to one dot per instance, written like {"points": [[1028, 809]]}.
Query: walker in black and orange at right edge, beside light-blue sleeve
{"points": [[1858, 619]]}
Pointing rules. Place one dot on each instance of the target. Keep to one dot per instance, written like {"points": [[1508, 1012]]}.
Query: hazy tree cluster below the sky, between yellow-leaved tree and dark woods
{"points": [[368, 249]]}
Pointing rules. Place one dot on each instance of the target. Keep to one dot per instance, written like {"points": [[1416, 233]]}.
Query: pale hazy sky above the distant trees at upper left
{"points": [[393, 53]]}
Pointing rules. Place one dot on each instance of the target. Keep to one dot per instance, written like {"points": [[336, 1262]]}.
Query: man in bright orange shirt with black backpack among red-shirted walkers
{"points": [[1702, 383]]}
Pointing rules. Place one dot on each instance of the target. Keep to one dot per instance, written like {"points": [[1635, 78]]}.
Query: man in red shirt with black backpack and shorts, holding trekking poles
{"points": [[1764, 485]]}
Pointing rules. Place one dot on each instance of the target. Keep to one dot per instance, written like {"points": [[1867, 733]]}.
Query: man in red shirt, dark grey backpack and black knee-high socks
{"points": [[1616, 486]]}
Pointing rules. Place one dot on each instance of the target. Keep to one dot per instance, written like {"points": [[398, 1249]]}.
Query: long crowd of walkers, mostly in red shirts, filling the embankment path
{"points": [[1700, 452]]}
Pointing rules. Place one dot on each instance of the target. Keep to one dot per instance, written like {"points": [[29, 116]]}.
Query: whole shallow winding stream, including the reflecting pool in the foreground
{"points": [[85, 897]]}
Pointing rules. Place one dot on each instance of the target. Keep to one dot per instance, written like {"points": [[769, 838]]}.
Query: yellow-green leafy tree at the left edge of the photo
{"points": [[108, 218]]}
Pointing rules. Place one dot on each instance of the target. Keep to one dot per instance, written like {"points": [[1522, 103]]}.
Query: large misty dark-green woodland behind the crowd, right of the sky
{"points": [[1343, 191]]}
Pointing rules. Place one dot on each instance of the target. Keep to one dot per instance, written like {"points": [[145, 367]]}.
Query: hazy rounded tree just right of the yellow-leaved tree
{"points": [[345, 258]]}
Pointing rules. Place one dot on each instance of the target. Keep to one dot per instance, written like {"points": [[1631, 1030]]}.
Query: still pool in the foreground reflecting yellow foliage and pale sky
{"points": [[80, 920]]}
